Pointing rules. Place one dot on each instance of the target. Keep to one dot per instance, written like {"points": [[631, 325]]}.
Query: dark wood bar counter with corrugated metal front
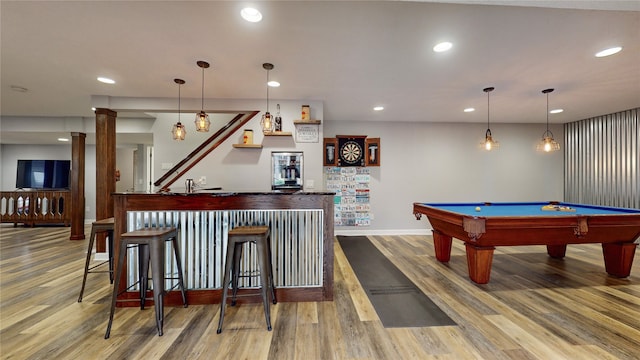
{"points": [[301, 226]]}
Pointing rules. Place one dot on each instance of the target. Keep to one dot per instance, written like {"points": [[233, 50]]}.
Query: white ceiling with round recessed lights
{"points": [[352, 55]]}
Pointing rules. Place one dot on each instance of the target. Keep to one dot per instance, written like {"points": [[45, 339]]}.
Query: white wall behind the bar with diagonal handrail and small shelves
{"points": [[236, 169]]}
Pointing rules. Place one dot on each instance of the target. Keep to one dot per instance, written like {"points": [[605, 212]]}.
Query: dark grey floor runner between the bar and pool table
{"points": [[397, 300]]}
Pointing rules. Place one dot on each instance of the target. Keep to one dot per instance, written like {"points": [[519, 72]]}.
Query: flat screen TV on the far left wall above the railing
{"points": [[43, 174]]}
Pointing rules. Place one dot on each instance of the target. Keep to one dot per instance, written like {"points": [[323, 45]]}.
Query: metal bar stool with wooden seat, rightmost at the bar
{"points": [[259, 235]]}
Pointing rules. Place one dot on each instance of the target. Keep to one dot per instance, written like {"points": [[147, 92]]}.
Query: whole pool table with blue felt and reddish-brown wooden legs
{"points": [[483, 226]]}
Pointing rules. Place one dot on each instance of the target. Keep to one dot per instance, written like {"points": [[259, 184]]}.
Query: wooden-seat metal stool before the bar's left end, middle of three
{"points": [[151, 248]]}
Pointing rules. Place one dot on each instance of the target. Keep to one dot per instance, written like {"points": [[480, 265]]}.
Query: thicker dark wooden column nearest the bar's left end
{"points": [[105, 167]]}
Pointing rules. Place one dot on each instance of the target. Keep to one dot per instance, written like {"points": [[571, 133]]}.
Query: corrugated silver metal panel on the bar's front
{"points": [[296, 245]]}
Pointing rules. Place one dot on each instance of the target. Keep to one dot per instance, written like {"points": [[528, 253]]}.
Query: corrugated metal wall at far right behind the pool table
{"points": [[602, 156]]}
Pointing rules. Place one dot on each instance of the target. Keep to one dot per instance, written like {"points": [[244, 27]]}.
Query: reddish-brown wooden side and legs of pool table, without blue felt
{"points": [[618, 235]]}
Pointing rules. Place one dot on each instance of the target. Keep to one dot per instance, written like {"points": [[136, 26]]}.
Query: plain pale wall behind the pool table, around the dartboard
{"points": [[438, 162]]}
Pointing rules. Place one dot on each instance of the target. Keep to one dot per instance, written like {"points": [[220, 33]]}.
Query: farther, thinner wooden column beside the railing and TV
{"points": [[77, 186]]}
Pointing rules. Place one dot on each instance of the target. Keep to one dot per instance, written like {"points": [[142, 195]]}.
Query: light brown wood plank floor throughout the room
{"points": [[534, 307]]}
